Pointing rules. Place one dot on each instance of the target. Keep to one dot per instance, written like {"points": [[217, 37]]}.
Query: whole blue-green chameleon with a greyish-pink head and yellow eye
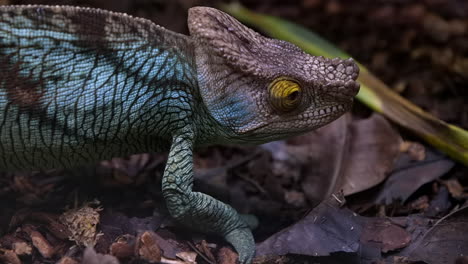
{"points": [[79, 85]]}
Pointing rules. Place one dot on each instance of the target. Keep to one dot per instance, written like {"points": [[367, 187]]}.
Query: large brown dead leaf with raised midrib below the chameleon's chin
{"points": [[342, 155]]}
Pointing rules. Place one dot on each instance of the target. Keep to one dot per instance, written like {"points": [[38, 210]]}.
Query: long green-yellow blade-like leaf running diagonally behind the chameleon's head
{"points": [[374, 93]]}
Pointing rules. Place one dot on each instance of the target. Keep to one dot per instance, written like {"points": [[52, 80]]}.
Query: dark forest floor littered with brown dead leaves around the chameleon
{"points": [[396, 199]]}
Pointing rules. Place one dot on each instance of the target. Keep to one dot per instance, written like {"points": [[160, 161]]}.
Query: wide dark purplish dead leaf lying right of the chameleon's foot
{"points": [[338, 235]]}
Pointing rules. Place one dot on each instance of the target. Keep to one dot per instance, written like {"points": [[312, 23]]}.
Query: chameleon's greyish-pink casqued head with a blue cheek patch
{"points": [[262, 89]]}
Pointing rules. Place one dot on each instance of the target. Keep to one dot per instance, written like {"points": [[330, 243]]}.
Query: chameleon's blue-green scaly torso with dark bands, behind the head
{"points": [[79, 85]]}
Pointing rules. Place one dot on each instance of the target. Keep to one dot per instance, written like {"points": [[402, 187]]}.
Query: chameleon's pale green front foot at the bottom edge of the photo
{"points": [[242, 240]]}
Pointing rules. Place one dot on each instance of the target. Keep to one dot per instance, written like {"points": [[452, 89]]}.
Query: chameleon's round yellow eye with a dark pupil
{"points": [[285, 94]]}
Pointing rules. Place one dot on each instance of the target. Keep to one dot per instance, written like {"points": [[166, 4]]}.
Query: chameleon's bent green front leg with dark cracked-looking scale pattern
{"points": [[198, 210]]}
